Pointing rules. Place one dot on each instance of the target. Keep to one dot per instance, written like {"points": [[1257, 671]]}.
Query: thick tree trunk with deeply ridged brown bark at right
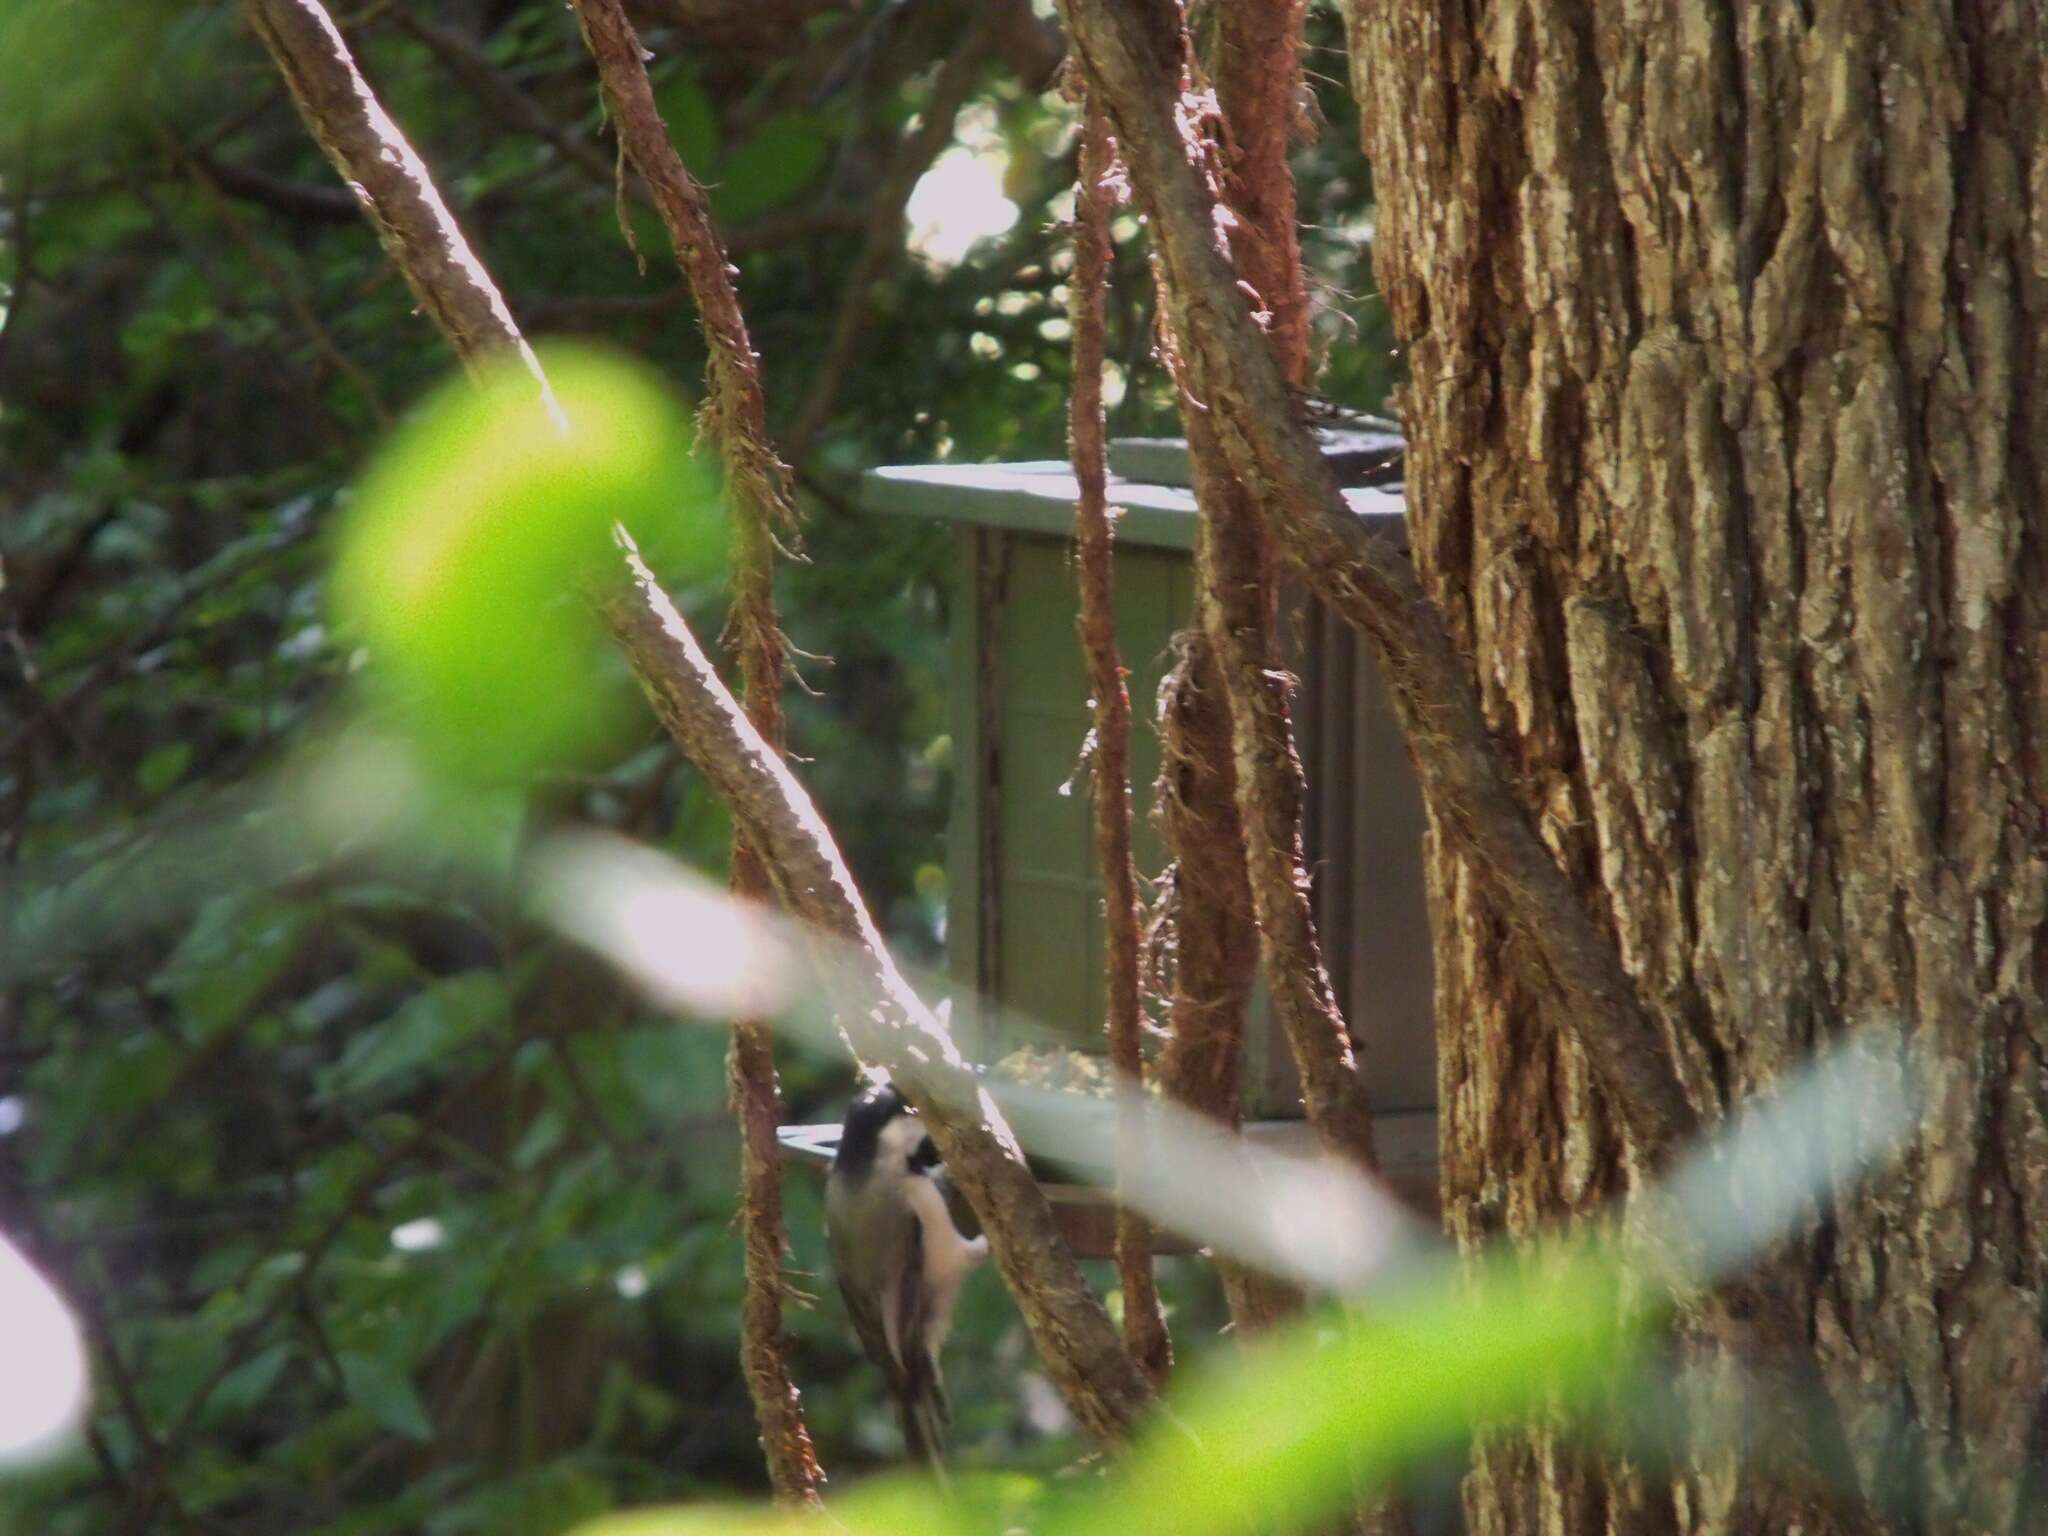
{"points": [[1727, 382]]}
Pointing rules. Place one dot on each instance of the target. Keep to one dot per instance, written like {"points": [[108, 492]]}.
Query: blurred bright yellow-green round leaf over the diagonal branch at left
{"points": [[470, 552]]}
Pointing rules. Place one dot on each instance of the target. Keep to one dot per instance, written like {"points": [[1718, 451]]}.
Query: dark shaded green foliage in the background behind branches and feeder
{"points": [[386, 1213]]}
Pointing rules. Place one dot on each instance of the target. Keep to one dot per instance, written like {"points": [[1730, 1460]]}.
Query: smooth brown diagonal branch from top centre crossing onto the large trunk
{"points": [[1134, 58]]}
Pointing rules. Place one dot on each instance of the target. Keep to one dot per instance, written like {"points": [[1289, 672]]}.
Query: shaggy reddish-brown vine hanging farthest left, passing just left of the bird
{"points": [[761, 501]]}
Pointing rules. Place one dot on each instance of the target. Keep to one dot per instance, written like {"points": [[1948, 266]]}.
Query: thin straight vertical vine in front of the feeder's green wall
{"points": [[1111, 742]]}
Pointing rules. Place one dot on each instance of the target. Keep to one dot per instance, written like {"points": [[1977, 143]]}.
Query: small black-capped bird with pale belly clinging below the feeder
{"points": [[900, 1256]]}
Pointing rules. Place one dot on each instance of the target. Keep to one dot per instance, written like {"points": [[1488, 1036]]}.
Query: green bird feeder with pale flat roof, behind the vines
{"points": [[1025, 908]]}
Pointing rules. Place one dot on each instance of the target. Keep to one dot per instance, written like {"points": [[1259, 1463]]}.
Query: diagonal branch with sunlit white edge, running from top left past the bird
{"points": [[882, 1015]]}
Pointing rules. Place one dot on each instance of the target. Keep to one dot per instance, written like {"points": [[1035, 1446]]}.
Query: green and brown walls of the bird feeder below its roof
{"points": [[1025, 912]]}
